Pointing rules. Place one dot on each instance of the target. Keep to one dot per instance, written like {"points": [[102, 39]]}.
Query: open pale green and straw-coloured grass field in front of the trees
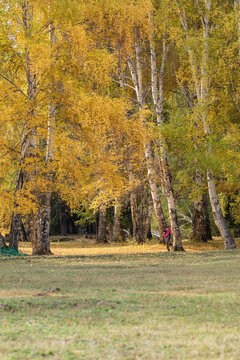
{"points": [[148, 306]]}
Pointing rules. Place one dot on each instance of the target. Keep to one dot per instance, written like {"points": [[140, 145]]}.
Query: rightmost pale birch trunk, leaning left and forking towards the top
{"points": [[200, 65]]}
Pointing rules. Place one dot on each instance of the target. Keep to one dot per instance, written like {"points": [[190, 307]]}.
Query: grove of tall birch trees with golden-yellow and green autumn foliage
{"points": [[115, 104]]}
